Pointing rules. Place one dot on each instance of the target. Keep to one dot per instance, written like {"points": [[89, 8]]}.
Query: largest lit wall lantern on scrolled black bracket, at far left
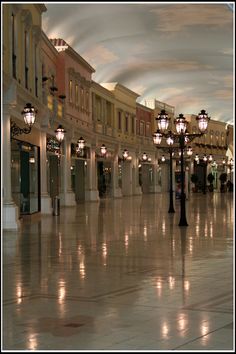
{"points": [[29, 114]]}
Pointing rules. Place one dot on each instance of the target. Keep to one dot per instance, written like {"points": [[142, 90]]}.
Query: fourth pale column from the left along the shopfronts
{"points": [[91, 193]]}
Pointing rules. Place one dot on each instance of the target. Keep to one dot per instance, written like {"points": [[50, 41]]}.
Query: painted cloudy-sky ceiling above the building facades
{"points": [[181, 54]]}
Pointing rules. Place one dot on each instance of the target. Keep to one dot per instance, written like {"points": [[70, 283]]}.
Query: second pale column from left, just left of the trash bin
{"points": [[46, 205]]}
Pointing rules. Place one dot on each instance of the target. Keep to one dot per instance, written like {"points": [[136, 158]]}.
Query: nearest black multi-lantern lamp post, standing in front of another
{"points": [[182, 137]]}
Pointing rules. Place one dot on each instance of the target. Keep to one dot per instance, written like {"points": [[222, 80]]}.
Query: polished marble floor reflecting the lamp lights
{"points": [[122, 275]]}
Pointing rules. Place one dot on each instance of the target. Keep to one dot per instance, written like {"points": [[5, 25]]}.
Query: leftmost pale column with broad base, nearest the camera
{"points": [[10, 210]]}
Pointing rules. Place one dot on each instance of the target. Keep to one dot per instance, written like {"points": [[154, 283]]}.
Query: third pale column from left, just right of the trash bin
{"points": [[67, 196]]}
